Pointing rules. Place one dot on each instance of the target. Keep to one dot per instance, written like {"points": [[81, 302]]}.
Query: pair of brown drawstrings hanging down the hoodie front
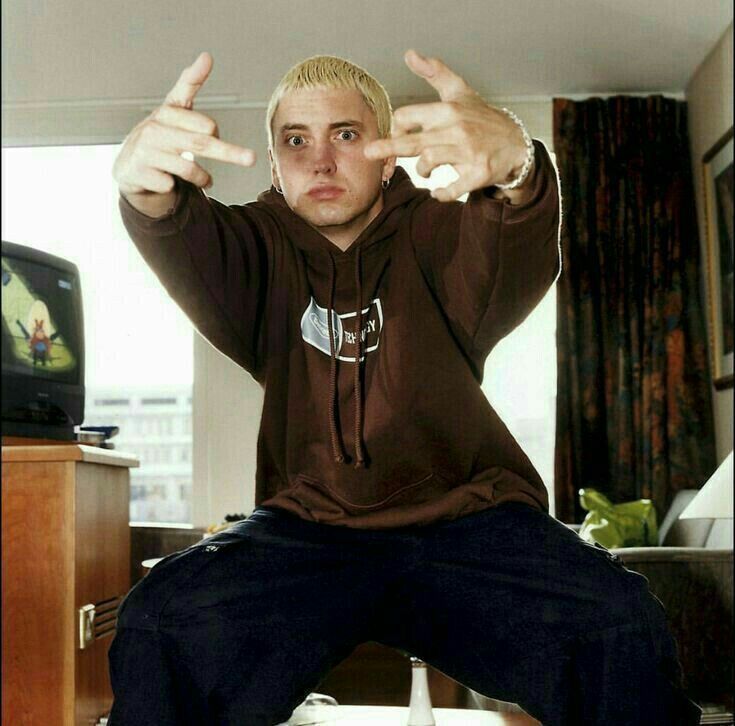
{"points": [[337, 446]]}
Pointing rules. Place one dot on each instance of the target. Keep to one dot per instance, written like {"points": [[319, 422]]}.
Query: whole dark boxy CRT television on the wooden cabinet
{"points": [[42, 345]]}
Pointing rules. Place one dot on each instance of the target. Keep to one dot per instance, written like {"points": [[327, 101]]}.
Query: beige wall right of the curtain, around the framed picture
{"points": [[710, 96]]}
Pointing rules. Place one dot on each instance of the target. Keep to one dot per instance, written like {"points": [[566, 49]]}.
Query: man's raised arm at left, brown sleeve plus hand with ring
{"points": [[213, 260]]}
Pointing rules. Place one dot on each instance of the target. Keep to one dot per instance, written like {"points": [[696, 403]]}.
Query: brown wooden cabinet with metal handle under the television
{"points": [[66, 567]]}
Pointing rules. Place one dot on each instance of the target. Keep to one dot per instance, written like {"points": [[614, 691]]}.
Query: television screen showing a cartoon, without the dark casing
{"points": [[40, 335]]}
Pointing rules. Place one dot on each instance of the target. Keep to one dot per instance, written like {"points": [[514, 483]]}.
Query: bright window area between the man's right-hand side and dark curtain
{"points": [[520, 387]]}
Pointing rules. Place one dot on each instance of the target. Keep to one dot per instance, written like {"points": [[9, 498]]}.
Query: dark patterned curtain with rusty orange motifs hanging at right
{"points": [[634, 408]]}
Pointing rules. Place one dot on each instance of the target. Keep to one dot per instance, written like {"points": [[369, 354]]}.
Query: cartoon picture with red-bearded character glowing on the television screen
{"points": [[35, 335]]}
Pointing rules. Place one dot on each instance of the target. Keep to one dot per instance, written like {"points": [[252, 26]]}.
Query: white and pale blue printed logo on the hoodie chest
{"points": [[315, 330]]}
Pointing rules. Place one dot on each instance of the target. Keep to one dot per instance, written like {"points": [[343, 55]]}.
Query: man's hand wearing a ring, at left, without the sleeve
{"points": [[151, 155]]}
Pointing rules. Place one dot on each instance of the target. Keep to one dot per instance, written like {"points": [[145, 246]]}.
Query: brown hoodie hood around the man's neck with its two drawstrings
{"points": [[400, 193]]}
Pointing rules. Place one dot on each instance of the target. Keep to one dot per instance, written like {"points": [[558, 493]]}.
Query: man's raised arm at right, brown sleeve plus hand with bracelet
{"points": [[490, 260]]}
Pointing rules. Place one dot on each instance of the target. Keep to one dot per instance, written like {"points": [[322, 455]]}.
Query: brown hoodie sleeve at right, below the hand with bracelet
{"points": [[489, 262]]}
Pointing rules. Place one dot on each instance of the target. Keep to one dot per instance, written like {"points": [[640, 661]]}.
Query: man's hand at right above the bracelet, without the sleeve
{"points": [[483, 144]]}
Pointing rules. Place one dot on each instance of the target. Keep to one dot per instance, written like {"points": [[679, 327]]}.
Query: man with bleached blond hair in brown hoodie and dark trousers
{"points": [[393, 504]]}
